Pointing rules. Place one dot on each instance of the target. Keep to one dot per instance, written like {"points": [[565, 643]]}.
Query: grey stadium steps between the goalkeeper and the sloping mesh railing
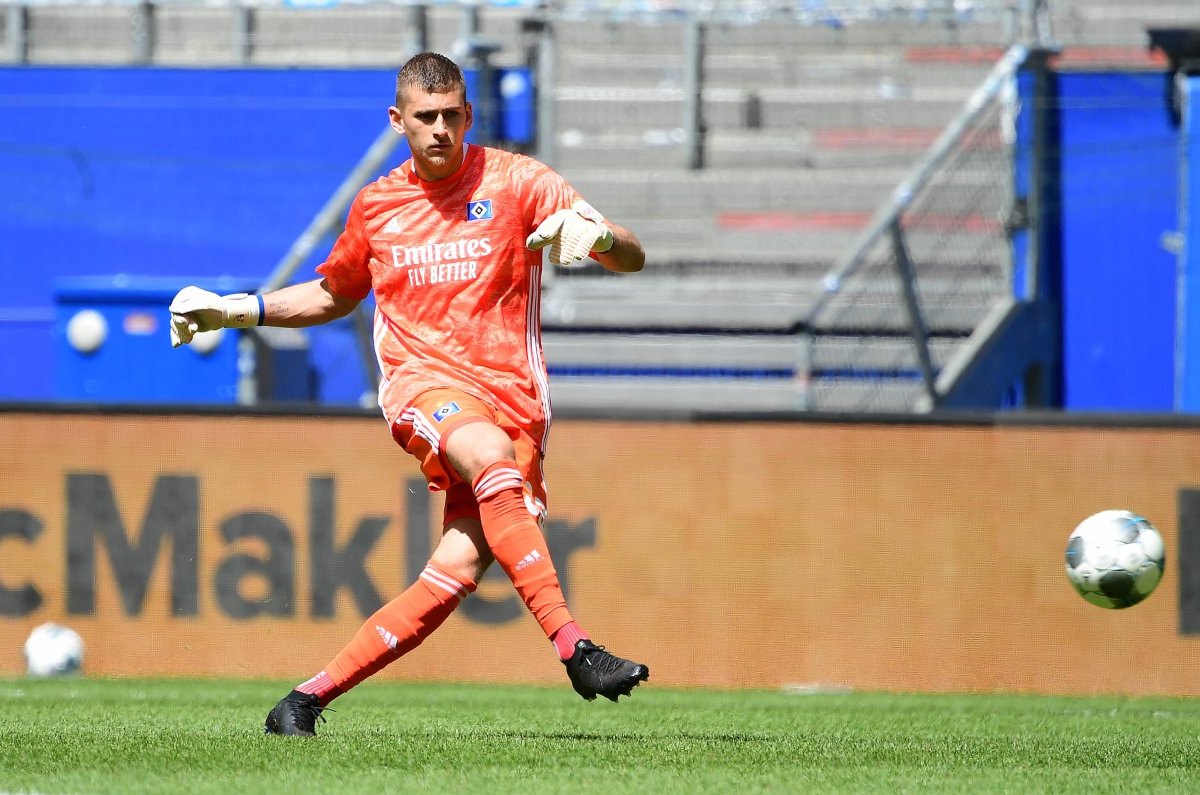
{"points": [[808, 131]]}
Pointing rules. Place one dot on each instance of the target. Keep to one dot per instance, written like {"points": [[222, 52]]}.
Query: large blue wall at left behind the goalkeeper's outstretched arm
{"points": [[188, 174]]}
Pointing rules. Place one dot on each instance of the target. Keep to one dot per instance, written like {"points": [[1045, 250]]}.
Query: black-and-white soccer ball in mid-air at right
{"points": [[1115, 559]]}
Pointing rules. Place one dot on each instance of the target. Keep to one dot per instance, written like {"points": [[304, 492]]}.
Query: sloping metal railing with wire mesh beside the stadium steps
{"points": [[860, 284]]}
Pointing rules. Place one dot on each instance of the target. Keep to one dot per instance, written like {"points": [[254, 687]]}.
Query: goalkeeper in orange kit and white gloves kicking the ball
{"points": [[451, 244]]}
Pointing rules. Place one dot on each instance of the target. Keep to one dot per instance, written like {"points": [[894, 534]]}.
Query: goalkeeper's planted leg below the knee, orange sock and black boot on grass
{"points": [[394, 631]]}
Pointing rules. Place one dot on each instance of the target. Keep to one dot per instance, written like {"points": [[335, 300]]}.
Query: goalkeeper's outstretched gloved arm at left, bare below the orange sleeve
{"points": [[311, 303]]}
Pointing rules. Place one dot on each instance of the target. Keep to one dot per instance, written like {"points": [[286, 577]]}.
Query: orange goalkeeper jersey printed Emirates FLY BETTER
{"points": [[458, 295]]}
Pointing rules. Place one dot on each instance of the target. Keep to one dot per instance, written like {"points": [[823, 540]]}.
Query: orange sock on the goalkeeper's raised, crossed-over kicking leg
{"points": [[519, 545]]}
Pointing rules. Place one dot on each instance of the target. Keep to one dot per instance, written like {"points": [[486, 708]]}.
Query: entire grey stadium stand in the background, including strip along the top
{"points": [[813, 113]]}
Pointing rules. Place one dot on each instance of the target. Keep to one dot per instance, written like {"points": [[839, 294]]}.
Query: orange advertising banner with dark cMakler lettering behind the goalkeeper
{"points": [[884, 557]]}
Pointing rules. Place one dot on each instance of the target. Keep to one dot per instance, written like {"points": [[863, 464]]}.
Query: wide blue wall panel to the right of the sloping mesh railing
{"points": [[1120, 194]]}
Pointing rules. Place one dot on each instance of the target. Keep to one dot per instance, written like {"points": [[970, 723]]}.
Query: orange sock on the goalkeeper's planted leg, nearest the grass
{"points": [[395, 630]]}
